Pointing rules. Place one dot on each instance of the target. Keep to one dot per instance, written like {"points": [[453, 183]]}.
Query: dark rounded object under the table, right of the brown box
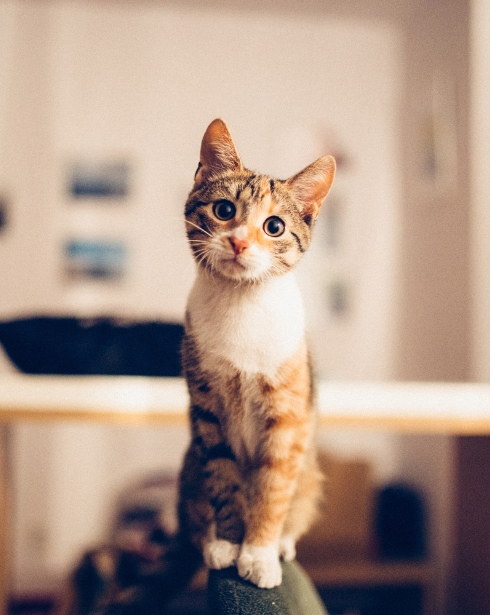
{"points": [[400, 523]]}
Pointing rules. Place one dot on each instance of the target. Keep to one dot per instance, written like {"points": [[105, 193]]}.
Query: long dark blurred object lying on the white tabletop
{"points": [[69, 346]]}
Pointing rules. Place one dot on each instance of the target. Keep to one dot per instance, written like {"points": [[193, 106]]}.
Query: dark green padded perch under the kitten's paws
{"points": [[228, 594]]}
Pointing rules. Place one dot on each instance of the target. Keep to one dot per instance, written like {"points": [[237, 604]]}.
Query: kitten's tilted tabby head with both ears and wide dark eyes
{"points": [[244, 226]]}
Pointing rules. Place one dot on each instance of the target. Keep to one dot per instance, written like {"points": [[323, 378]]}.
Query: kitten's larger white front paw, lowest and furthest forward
{"points": [[260, 565]]}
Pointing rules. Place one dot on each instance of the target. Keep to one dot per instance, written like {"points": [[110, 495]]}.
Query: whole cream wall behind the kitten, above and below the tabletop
{"points": [[140, 80]]}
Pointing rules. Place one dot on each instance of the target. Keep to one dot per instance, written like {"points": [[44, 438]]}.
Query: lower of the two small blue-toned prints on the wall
{"points": [[94, 260]]}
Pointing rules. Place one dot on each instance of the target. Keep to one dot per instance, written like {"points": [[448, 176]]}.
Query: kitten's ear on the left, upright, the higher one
{"points": [[218, 152]]}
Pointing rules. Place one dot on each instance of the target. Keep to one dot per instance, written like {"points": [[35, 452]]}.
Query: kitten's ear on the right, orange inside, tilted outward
{"points": [[311, 185]]}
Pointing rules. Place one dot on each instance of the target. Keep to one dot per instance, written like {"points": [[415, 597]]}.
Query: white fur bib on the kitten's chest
{"points": [[254, 327]]}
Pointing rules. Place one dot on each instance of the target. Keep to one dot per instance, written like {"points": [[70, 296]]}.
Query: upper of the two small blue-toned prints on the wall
{"points": [[100, 180]]}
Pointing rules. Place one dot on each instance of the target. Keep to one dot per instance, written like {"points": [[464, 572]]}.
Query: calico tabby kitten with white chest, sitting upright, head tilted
{"points": [[250, 482]]}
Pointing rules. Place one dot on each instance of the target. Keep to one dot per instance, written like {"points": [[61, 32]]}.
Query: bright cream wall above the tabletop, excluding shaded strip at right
{"points": [[142, 83]]}
